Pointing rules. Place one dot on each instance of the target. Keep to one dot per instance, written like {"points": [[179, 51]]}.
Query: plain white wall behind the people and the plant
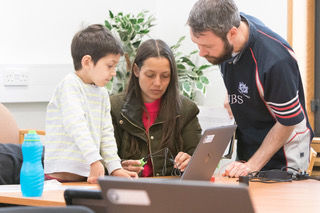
{"points": [[40, 32]]}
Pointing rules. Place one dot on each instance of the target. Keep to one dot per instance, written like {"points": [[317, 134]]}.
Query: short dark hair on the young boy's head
{"points": [[95, 40]]}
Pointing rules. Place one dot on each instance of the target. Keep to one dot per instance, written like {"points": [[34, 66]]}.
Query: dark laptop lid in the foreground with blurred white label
{"points": [[149, 195]]}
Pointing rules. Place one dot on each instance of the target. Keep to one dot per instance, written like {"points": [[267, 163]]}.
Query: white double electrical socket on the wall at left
{"points": [[16, 77]]}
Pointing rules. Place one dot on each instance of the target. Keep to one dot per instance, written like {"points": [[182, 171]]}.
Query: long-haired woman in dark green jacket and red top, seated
{"points": [[151, 117]]}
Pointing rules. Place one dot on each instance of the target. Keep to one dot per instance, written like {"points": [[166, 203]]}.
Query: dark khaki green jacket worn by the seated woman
{"points": [[127, 121]]}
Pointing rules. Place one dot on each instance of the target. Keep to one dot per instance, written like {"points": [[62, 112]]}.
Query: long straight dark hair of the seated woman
{"points": [[170, 102]]}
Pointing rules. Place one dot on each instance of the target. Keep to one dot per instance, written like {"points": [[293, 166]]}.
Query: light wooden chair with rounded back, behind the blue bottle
{"points": [[9, 131]]}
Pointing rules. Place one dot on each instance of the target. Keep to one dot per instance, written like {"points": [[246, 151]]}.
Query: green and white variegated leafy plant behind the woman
{"points": [[131, 30]]}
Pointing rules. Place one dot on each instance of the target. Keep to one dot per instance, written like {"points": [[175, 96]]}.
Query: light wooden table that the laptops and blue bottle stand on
{"points": [[291, 197]]}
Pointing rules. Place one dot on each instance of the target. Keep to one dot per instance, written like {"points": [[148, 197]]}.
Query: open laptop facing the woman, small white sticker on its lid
{"points": [[208, 153]]}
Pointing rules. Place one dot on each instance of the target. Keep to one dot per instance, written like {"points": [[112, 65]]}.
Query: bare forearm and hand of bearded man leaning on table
{"points": [[274, 140]]}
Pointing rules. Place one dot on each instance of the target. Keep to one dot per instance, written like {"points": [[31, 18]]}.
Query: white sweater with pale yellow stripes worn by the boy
{"points": [[79, 129]]}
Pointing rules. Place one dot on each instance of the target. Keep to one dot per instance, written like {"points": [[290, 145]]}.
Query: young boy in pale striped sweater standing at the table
{"points": [[79, 131]]}
